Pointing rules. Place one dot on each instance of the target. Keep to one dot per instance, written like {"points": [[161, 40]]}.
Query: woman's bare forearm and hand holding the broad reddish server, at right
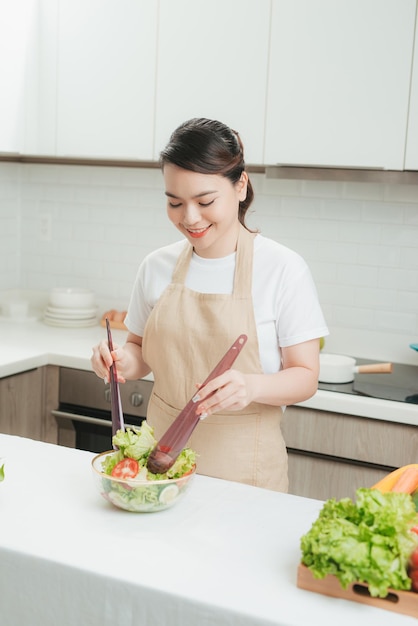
{"points": [[297, 381]]}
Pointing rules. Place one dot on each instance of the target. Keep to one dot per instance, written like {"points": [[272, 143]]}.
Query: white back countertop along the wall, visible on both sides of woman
{"points": [[30, 344]]}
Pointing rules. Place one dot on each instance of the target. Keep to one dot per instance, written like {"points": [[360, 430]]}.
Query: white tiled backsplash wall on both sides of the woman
{"points": [[360, 240]]}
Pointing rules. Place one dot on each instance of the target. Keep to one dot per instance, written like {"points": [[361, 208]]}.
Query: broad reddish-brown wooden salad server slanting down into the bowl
{"points": [[175, 438]]}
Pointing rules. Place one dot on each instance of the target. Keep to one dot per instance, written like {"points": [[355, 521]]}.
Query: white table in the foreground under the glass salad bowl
{"points": [[227, 554]]}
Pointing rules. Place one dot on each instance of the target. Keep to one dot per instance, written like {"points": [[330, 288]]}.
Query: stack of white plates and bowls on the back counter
{"points": [[71, 307]]}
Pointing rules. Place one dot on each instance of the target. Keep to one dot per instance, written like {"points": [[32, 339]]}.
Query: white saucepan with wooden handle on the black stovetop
{"points": [[335, 368]]}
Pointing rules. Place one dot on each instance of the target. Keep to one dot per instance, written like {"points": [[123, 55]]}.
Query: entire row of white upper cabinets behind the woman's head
{"points": [[305, 82]]}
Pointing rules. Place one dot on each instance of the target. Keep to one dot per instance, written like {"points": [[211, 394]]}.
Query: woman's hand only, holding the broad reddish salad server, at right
{"points": [[228, 392]]}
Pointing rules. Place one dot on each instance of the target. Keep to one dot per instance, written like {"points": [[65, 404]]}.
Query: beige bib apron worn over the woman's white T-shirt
{"points": [[185, 336]]}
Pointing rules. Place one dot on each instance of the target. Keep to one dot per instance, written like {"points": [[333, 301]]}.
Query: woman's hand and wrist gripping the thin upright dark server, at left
{"points": [[130, 364]]}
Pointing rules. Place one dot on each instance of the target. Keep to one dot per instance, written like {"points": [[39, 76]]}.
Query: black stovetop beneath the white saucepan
{"points": [[399, 386]]}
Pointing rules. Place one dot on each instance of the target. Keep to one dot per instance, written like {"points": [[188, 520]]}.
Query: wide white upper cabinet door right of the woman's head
{"points": [[339, 82]]}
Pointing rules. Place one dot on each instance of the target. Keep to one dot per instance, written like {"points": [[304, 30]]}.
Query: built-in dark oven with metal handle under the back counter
{"points": [[83, 416]]}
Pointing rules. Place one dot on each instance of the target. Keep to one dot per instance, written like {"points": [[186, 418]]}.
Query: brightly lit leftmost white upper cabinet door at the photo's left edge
{"points": [[28, 76]]}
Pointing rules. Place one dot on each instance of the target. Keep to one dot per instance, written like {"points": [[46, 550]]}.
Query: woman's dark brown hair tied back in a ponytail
{"points": [[209, 147]]}
